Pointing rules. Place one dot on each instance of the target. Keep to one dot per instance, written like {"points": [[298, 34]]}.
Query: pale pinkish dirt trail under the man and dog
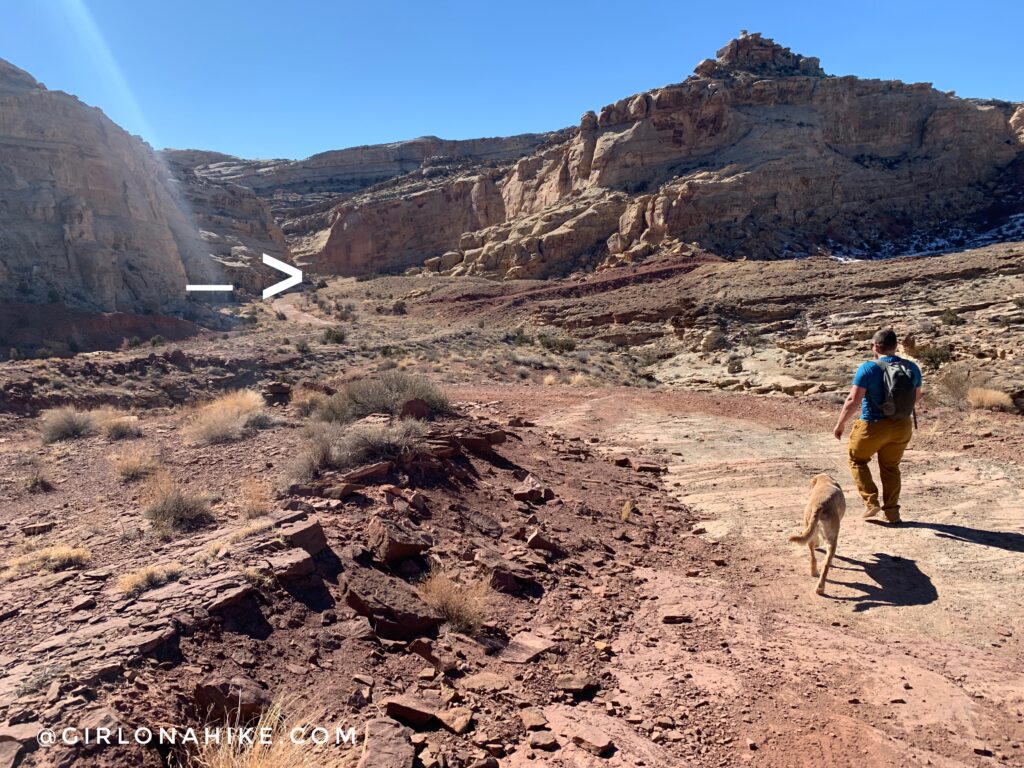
{"points": [[915, 656]]}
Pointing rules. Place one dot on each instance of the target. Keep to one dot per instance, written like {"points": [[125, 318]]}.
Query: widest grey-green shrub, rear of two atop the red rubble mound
{"points": [[385, 394]]}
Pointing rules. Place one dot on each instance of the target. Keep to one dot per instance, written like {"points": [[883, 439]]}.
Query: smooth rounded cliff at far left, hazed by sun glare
{"points": [[89, 217]]}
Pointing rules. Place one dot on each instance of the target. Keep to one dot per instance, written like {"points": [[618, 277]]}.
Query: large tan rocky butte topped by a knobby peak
{"points": [[759, 155]]}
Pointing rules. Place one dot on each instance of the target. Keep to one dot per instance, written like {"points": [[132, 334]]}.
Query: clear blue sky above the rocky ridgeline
{"points": [[265, 79]]}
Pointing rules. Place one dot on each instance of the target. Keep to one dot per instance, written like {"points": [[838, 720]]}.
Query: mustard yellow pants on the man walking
{"points": [[888, 440]]}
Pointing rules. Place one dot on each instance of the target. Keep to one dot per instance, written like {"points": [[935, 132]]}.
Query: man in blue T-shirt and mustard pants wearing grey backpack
{"points": [[886, 390]]}
